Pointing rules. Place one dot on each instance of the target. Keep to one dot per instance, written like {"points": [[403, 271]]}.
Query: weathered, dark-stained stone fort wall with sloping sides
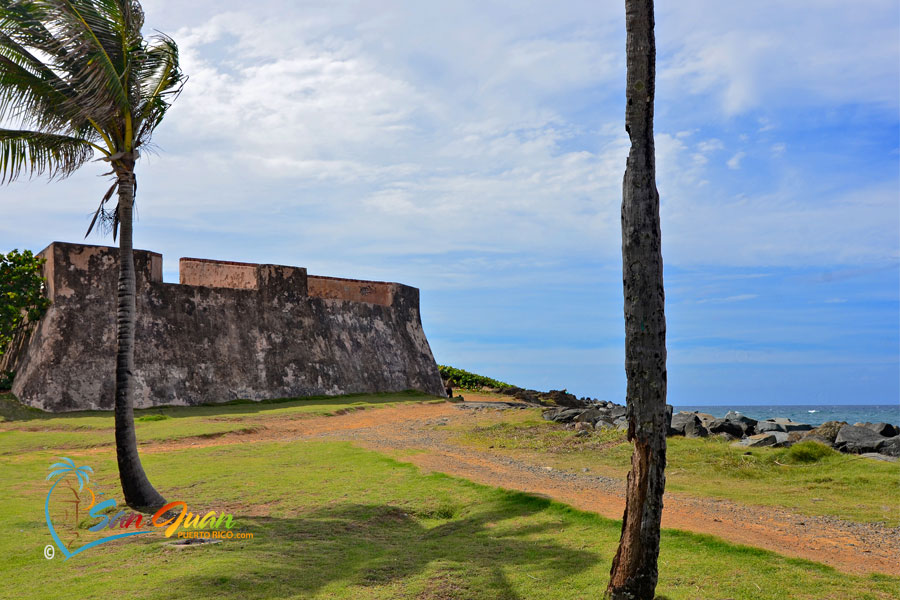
{"points": [[255, 338]]}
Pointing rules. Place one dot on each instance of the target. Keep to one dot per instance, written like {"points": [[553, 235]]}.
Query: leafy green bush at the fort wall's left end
{"points": [[22, 299]]}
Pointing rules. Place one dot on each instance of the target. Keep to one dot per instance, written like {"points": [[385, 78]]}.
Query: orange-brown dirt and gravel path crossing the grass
{"points": [[845, 545]]}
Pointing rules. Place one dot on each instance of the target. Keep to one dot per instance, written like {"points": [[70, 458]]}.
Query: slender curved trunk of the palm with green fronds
{"points": [[139, 493]]}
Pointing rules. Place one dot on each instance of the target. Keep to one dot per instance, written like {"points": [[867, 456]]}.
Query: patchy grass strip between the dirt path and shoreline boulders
{"points": [[811, 478]]}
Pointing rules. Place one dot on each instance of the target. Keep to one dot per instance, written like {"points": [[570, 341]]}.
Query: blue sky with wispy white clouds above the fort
{"points": [[476, 150]]}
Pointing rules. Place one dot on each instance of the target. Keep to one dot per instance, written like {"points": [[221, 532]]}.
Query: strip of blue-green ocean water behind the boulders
{"points": [[812, 414]]}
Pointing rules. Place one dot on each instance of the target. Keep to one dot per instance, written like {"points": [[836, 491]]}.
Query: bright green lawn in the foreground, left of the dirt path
{"points": [[333, 521]]}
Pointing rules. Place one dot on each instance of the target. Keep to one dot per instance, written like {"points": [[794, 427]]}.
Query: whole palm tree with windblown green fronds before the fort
{"points": [[80, 80]]}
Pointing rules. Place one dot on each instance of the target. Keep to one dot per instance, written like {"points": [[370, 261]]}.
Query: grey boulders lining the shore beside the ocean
{"points": [[877, 440]]}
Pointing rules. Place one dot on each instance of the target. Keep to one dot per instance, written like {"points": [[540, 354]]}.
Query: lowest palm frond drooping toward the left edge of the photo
{"points": [[38, 153]]}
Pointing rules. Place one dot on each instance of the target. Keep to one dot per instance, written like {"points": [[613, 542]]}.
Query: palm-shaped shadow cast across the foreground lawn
{"points": [[363, 546]]}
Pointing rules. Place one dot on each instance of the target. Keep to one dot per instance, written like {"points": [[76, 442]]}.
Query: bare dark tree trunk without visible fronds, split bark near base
{"points": [[634, 569]]}
